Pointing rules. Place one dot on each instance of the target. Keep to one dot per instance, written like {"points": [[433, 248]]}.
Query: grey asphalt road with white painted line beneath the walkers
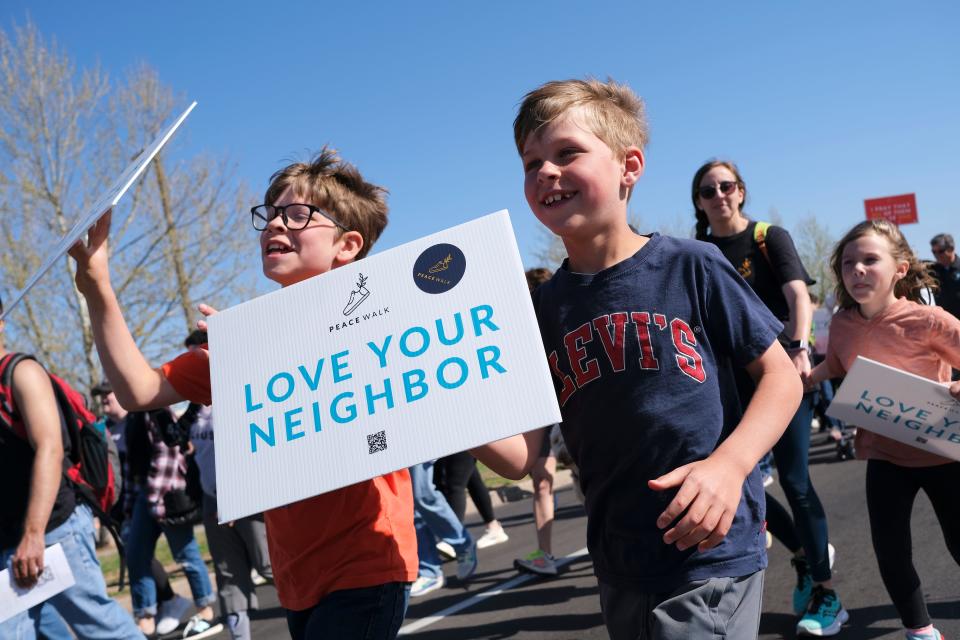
{"points": [[495, 604]]}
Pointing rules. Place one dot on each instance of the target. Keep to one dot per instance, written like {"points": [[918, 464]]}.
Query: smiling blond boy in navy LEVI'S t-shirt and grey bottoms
{"points": [[641, 333]]}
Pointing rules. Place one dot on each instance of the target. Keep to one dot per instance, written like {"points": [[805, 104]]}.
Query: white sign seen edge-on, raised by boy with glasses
{"points": [[106, 201]]}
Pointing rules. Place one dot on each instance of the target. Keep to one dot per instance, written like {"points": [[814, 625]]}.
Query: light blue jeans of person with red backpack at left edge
{"points": [[85, 606]]}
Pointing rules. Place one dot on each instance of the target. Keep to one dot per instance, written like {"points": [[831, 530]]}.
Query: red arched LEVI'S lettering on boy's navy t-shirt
{"points": [[573, 368]]}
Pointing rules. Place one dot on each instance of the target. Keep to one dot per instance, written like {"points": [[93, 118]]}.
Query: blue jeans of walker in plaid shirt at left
{"points": [[141, 544]]}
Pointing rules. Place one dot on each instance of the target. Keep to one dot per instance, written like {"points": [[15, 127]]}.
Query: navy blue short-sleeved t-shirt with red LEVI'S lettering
{"points": [[641, 355]]}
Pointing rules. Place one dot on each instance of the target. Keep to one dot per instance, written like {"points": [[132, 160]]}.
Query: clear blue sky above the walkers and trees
{"points": [[821, 104]]}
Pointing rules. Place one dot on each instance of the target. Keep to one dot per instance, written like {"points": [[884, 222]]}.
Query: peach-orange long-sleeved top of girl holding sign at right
{"points": [[922, 340]]}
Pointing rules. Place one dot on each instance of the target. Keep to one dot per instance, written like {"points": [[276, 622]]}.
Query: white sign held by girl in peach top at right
{"points": [[901, 406]]}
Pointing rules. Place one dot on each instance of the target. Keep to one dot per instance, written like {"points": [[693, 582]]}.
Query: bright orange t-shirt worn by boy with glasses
{"points": [[357, 536]]}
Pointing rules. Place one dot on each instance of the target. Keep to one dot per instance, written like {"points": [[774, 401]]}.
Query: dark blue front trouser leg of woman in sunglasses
{"points": [[792, 455]]}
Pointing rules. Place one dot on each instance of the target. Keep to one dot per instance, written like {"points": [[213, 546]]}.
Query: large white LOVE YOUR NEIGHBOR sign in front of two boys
{"points": [[424, 350]]}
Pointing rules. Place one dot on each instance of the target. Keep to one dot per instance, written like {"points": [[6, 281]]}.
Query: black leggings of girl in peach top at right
{"points": [[891, 490]]}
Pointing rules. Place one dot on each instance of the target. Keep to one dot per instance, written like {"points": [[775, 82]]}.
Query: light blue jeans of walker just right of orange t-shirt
{"points": [[434, 519]]}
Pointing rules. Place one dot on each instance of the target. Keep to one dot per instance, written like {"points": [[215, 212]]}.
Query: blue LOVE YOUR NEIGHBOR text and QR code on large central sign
{"points": [[461, 349]]}
